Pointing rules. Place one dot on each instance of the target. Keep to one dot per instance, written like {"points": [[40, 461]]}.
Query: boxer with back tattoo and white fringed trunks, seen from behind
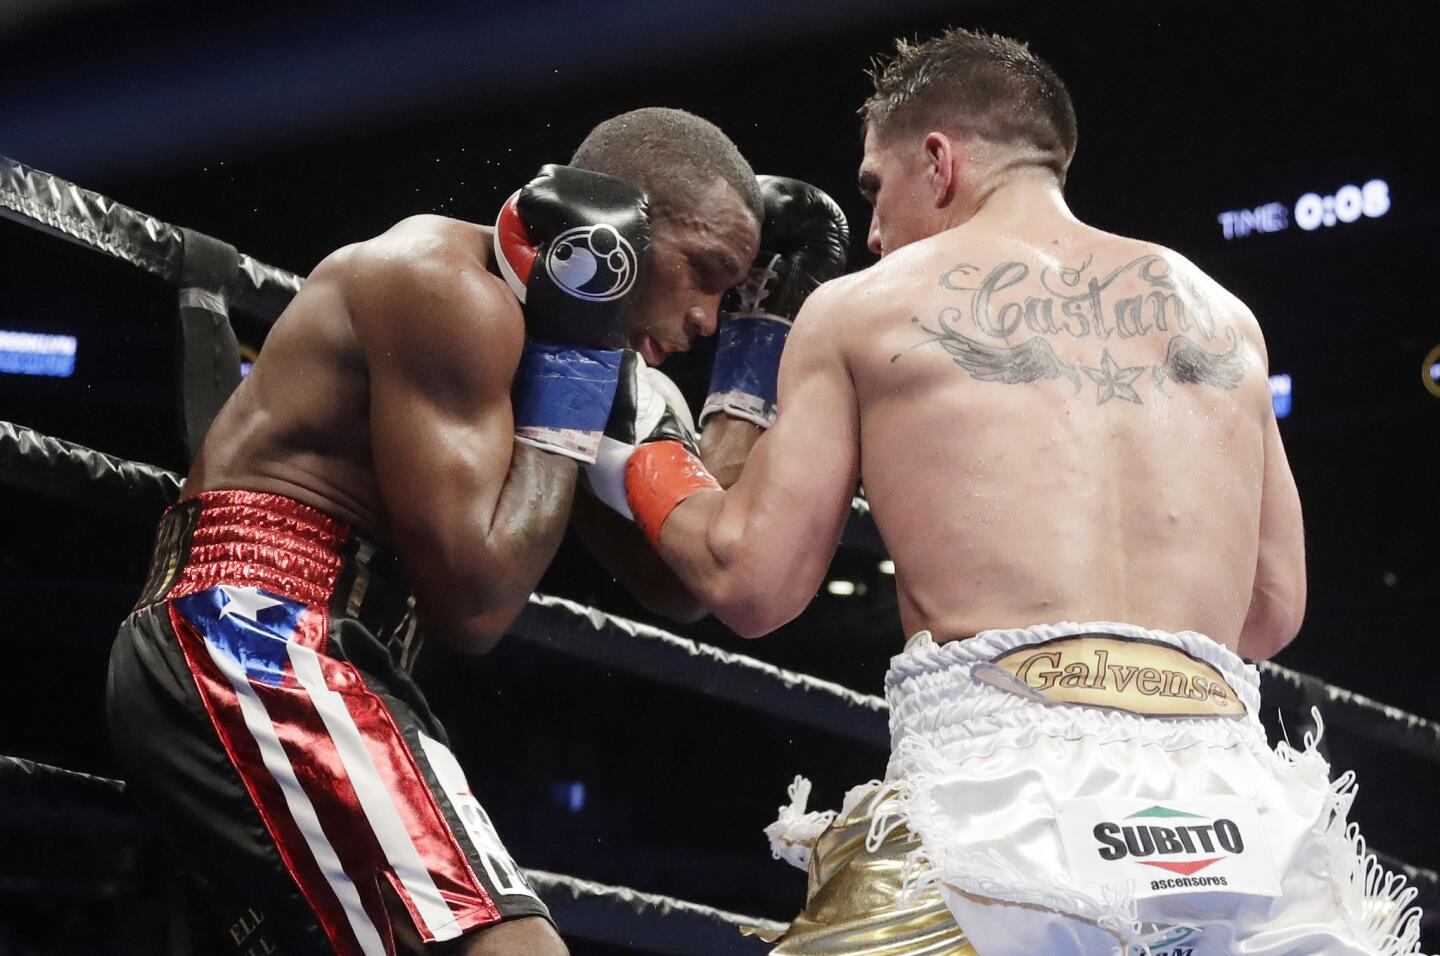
{"points": [[1068, 444]]}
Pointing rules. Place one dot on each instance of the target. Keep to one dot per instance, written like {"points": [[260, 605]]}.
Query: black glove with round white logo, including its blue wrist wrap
{"points": [[572, 245]]}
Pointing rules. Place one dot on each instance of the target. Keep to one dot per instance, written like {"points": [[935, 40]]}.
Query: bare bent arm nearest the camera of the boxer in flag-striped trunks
{"points": [[476, 515]]}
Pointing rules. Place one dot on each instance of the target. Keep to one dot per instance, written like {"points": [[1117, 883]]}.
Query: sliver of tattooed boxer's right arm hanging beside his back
{"points": [[1278, 595]]}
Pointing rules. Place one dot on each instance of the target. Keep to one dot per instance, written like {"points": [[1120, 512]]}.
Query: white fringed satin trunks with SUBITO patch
{"points": [[1105, 790]]}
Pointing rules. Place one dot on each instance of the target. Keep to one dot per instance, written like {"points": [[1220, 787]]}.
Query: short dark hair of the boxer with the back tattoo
{"points": [[974, 84]]}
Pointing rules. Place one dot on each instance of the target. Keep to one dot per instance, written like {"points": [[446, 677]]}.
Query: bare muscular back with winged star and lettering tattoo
{"points": [[1066, 427]]}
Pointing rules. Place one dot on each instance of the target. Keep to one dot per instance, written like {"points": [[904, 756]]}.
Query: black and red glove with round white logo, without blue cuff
{"points": [[574, 245]]}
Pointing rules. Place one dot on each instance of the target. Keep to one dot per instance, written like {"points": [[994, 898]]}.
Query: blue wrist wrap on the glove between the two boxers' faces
{"points": [[747, 369]]}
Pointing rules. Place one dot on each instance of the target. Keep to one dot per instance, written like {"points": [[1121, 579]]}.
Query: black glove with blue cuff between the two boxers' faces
{"points": [[804, 243]]}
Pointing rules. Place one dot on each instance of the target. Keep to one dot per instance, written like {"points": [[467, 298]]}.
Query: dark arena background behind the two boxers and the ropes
{"points": [[290, 130]]}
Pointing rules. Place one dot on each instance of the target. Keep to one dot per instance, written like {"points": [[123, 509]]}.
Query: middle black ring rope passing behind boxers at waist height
{"points": [[32, 461]]}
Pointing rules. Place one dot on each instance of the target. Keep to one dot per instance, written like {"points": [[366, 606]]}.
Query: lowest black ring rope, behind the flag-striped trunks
{"points": [[591, 911]]}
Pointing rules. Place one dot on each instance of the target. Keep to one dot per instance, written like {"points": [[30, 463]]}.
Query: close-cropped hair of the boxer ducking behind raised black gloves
{"points": [[675, 156]]}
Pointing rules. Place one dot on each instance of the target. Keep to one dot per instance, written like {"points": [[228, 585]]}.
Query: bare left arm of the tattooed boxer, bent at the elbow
{"points": [[758, 552]]}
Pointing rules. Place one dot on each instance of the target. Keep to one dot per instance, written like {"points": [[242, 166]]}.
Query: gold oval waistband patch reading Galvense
{"points": [[1104, 670]]}
